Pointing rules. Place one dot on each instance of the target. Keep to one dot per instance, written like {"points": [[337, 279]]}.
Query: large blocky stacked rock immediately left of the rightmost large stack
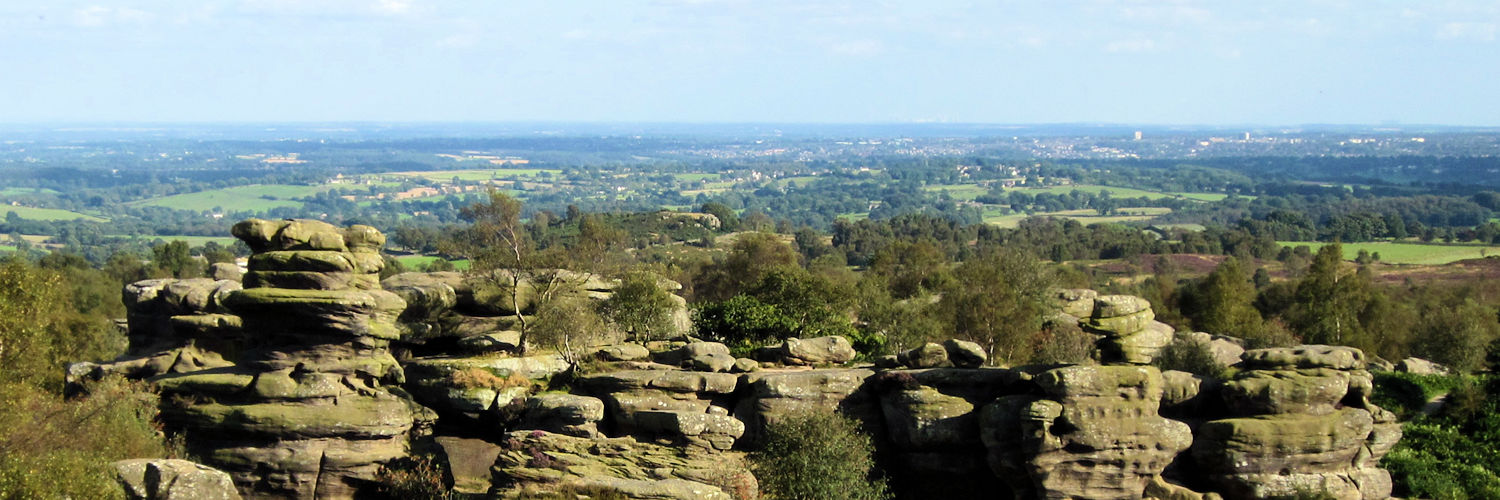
{"points": [[1094, 433]]}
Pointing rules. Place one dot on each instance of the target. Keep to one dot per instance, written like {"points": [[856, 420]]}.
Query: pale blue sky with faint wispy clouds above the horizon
{"points": [[1270, 62]]}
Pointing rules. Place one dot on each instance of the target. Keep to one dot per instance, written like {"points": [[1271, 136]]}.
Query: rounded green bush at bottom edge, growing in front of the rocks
{"points": [[818, 457]]}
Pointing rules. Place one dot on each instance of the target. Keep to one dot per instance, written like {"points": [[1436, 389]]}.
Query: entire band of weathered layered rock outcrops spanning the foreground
{"points": [[290, 387]]}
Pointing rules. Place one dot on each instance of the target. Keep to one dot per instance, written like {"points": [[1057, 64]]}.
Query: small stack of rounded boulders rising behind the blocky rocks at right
{"points": [[1132, 333]]}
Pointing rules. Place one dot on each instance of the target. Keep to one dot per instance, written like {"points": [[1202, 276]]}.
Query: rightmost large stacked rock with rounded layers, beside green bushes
{"points": [[1304, 423]]}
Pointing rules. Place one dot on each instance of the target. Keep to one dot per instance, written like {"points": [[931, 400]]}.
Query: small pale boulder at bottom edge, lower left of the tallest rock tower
{"points": [[173, 480]]}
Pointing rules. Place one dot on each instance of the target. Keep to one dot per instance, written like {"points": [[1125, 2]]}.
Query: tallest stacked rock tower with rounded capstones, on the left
{"points": [[307, 412]]}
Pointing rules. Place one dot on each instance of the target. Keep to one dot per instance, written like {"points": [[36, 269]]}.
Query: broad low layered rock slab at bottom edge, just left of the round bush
{"points": [[539, 462]]}
